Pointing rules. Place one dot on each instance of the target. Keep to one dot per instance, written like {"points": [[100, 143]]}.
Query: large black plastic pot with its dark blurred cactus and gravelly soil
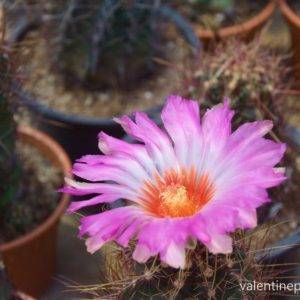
{"points": [[101, 58]]}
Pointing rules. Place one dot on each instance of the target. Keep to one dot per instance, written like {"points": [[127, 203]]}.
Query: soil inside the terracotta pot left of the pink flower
{"points": [[38, 194]]}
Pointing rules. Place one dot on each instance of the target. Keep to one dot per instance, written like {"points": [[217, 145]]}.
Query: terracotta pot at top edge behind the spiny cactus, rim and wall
{"points": [[246, 30]]}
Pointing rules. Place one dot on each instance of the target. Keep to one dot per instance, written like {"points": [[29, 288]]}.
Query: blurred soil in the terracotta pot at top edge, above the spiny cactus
{"points": [[214, 18]]}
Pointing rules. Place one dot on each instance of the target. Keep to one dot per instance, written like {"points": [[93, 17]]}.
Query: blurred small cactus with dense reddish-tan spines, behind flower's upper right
{"points": [[248, 74]]}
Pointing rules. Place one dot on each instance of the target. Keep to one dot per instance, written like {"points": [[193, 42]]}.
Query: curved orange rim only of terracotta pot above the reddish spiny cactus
{"points": [[238, 29]]}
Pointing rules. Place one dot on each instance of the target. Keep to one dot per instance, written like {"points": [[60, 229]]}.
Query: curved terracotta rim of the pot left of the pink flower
{"points": [[42, 141]]}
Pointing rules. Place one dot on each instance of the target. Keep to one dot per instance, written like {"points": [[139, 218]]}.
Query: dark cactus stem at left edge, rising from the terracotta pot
{"points": [[9, 169]]}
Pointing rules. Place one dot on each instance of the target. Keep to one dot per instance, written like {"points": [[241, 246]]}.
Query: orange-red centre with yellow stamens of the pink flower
{"points": [[177, 194]]}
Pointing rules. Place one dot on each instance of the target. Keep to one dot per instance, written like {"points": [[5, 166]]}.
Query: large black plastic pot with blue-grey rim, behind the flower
{"points": [[78, 134]]}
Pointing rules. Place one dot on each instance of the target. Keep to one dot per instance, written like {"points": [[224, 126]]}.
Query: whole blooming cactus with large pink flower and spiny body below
{"points": [[188, 187]]}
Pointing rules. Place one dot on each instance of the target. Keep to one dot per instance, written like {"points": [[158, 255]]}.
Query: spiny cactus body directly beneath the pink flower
{"points": [[207, 277]]}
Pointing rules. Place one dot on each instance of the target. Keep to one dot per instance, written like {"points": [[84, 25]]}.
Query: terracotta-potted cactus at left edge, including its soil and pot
{"points": [[28, 214]]}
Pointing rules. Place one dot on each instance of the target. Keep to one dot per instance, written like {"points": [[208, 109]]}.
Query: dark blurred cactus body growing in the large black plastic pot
{"points": [[106, 42]]}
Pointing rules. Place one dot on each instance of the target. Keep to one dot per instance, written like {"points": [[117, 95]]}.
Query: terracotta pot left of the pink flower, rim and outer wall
{"points": [[30, 259]]}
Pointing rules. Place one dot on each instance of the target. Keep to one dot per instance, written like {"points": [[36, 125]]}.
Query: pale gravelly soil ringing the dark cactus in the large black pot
{"points": [[46, 86]]}
